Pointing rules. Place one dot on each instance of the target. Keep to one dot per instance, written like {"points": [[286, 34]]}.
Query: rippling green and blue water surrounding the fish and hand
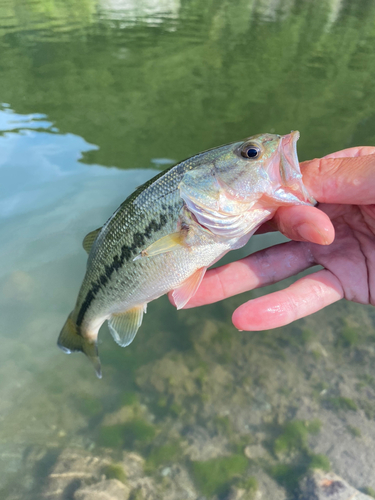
{"points": [[96, 97]]}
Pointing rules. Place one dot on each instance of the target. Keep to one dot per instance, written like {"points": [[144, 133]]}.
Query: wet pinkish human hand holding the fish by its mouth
{"points": [[340, 236]]}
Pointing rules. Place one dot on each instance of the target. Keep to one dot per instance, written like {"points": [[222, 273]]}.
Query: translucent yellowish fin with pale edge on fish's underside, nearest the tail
{"points": [[124, 326]]}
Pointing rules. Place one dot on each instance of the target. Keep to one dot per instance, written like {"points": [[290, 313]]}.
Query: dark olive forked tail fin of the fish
{"points": [[71, 341]]}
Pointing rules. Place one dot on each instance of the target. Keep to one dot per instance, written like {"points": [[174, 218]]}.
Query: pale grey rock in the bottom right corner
{"points": [[320, 485]]}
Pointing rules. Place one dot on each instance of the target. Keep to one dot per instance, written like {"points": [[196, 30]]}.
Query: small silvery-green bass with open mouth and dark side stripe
{"points": [[166, 234]]}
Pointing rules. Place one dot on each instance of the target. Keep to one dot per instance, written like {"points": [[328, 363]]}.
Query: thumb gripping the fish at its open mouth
{"points": [[345, 180]]}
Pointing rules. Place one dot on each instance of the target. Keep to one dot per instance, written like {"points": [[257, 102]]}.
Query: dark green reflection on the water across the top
{"points": [[172, 85]]}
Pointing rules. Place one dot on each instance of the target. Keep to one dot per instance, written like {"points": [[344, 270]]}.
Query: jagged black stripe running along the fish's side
{"points": [[139, 241]]}
